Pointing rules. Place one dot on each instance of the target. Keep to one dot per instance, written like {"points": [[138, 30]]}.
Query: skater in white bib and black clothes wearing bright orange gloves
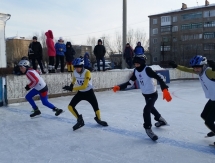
{"points": [[144, 75]]}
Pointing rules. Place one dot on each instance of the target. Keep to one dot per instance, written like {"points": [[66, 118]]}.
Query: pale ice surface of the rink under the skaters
{"points": [[51, 139]]}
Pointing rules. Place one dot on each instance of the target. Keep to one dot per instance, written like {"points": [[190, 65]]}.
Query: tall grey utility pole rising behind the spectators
{"points": [[124, 33]]}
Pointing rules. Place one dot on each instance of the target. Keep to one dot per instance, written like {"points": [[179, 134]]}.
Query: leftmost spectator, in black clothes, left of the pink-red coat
{"points": [[35, 52]]}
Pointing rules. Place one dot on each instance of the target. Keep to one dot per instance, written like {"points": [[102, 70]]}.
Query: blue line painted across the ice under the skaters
{"points": [[133, 134]]}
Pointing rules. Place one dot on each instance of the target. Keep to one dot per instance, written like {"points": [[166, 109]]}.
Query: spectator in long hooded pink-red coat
{"points": [[50, 50]]}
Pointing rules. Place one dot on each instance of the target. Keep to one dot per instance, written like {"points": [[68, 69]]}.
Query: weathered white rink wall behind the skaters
{"points": [[15, 85]]}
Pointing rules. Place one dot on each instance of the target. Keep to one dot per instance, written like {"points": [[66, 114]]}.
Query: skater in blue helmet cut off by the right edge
{"points": [[206, 78]]}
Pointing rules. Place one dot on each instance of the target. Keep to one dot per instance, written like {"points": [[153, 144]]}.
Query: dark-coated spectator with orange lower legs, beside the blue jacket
{"points": [[70, 52]]}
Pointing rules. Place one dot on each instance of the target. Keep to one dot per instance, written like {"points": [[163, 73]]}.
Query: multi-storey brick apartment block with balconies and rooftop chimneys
{"points": [[180, 34]]}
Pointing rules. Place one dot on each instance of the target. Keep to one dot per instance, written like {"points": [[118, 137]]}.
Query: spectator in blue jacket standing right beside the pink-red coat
{"points": [[60, 48]]}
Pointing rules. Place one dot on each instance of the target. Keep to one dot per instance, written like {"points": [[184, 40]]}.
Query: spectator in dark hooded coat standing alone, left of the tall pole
{"points": [[99, 52]]}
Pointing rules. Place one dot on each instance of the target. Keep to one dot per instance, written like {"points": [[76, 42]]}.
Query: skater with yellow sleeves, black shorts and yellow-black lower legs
{"points": [[85, 92]]}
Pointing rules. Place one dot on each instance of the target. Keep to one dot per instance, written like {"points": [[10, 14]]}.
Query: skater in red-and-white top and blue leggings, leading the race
{"points": [[36, 86]]}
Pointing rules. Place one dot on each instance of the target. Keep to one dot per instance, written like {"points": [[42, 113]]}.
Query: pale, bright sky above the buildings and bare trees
{"points": [[79, 19]]}
